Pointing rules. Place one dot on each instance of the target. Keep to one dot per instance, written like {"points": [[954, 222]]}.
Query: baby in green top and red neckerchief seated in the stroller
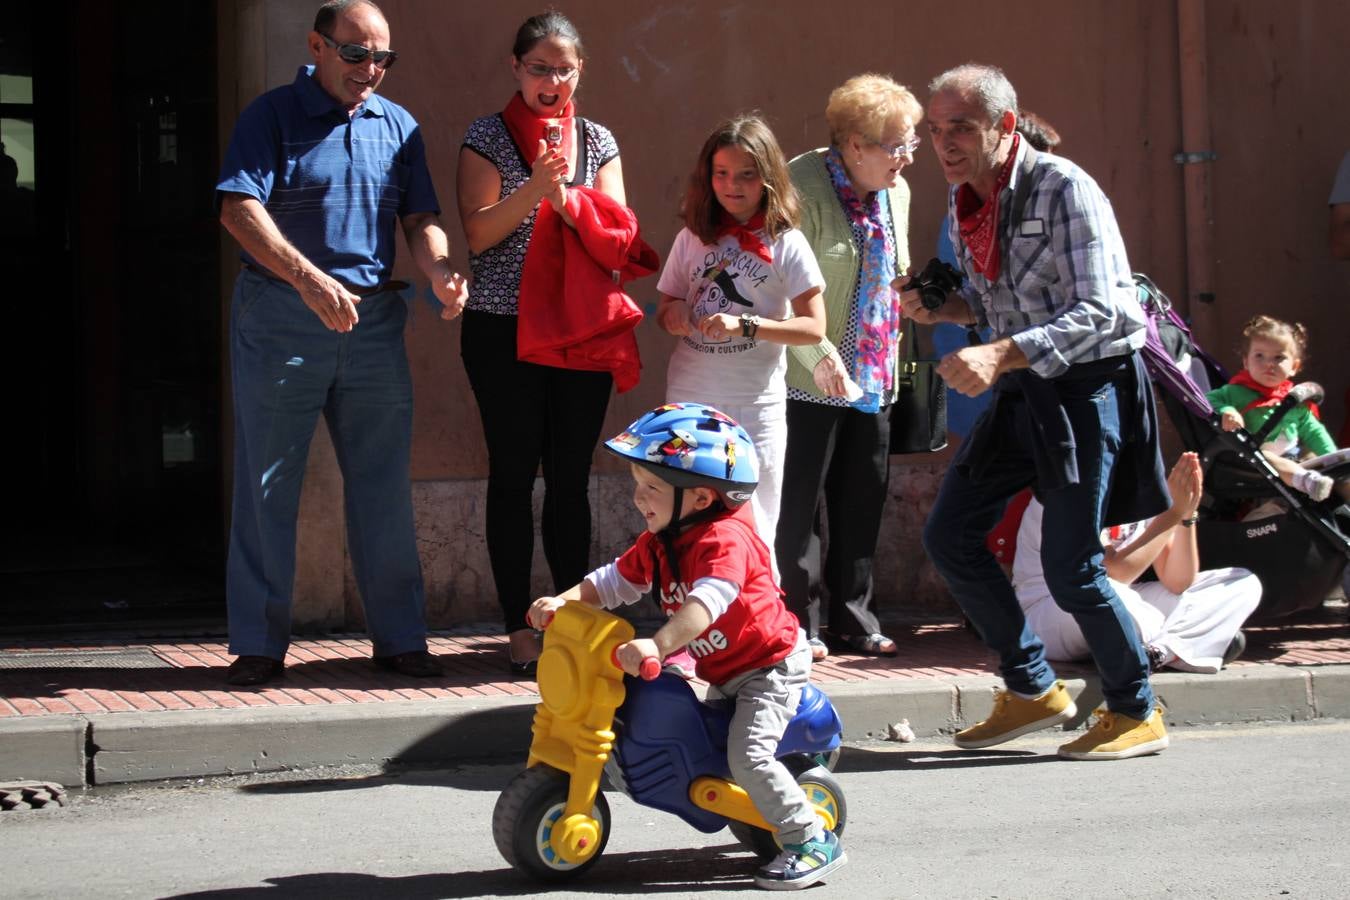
{"points": [[1274, 353]]}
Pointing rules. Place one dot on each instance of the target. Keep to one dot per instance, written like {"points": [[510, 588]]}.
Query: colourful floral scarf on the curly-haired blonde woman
{"points": [[878, 304]]}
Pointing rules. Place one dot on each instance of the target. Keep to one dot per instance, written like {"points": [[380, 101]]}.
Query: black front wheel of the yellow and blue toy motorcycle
{"points": [[524, 816]]}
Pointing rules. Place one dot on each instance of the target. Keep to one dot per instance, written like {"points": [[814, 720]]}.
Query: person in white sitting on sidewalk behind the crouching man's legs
{"points": [[1189, 620]]}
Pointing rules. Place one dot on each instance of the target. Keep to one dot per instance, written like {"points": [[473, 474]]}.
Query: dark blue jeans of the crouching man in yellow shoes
{"points": [[1071, 553]]}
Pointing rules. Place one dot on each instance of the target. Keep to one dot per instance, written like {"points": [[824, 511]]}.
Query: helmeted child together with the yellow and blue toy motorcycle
{"points": [[754, 762]]}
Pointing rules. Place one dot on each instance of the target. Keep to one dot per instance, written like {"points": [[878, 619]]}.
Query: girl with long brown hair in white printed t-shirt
{"points": [[740, 285]]}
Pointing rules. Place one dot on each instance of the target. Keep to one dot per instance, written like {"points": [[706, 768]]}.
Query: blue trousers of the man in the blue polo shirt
{"points": [[287, 369]]}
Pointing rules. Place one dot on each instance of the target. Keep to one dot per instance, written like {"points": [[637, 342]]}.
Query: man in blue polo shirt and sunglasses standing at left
{"points": [[315, 180]]}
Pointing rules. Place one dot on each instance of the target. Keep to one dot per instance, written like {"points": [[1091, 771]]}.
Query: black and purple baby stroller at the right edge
{"points": [[1301, 553]]}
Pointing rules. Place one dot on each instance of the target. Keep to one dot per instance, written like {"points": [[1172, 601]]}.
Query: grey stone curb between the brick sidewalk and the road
{"points": [[115, 748]]}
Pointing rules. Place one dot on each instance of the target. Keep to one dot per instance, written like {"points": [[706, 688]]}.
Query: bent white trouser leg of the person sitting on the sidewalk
{"points": [[1201, 623]]}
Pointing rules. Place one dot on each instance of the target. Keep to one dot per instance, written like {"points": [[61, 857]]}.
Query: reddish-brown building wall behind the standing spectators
{"points": [[662, 75]]}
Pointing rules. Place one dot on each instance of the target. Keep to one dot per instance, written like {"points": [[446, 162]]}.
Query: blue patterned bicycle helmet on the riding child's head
{"points": [[693, 446]]}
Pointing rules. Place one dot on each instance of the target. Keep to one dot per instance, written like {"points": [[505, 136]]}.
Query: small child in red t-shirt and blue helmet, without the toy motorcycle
{"points": [[696, 472]]}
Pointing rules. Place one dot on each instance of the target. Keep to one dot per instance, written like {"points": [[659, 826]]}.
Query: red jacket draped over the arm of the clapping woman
{"points": [[573, 311]]}
